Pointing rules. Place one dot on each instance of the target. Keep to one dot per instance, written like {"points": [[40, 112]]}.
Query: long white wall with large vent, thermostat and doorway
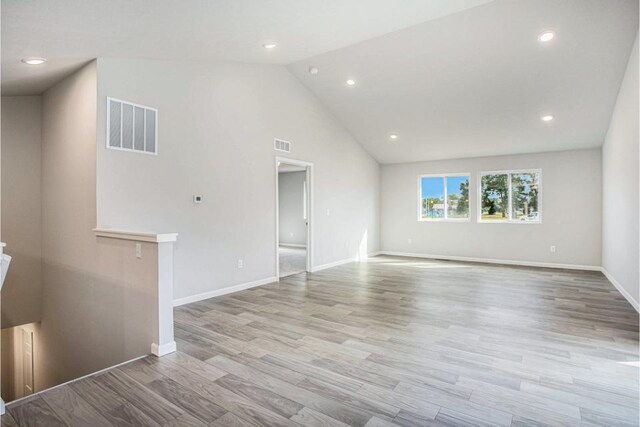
{"points": [[215, 137]]}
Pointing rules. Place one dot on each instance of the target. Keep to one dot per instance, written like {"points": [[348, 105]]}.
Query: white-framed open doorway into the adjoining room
{"points": [[293, 217]]}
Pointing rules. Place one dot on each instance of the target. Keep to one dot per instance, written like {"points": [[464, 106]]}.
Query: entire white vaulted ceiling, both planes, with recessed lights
{"points": [[450, 78]]}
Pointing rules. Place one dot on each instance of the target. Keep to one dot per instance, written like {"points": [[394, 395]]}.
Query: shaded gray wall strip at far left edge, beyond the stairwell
{"points": [[21, 210]]}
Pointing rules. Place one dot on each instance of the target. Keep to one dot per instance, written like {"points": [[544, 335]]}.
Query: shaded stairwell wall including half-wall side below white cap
{"points": [[97, 298]]}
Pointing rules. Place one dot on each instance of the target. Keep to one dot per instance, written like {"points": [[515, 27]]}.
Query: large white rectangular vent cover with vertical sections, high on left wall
{"points": [[131, 127]]}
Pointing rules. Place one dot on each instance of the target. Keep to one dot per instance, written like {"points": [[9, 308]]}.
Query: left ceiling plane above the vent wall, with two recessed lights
{"points": [[72, 32]]}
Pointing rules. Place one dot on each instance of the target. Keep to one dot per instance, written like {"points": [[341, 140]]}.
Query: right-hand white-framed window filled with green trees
{"points": [[510, 196]]}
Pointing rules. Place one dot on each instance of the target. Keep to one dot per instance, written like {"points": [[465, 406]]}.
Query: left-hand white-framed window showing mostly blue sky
{"points": [[443, 197]]}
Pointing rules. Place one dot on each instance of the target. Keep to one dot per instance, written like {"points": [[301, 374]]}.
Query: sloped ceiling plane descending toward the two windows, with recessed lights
{"points": [[476, 83]]}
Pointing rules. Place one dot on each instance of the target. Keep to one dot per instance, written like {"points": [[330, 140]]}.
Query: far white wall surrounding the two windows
{"points": [[571, 200]]}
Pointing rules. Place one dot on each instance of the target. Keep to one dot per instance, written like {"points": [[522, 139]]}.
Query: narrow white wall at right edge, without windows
{"points": [[620, 187]]}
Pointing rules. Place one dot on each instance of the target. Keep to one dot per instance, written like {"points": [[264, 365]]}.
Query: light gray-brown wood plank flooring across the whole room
{"points": [[394, 341]]}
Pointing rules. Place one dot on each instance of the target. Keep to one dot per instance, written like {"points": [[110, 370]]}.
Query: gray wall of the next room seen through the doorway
{"points": [[293, 229]]}
